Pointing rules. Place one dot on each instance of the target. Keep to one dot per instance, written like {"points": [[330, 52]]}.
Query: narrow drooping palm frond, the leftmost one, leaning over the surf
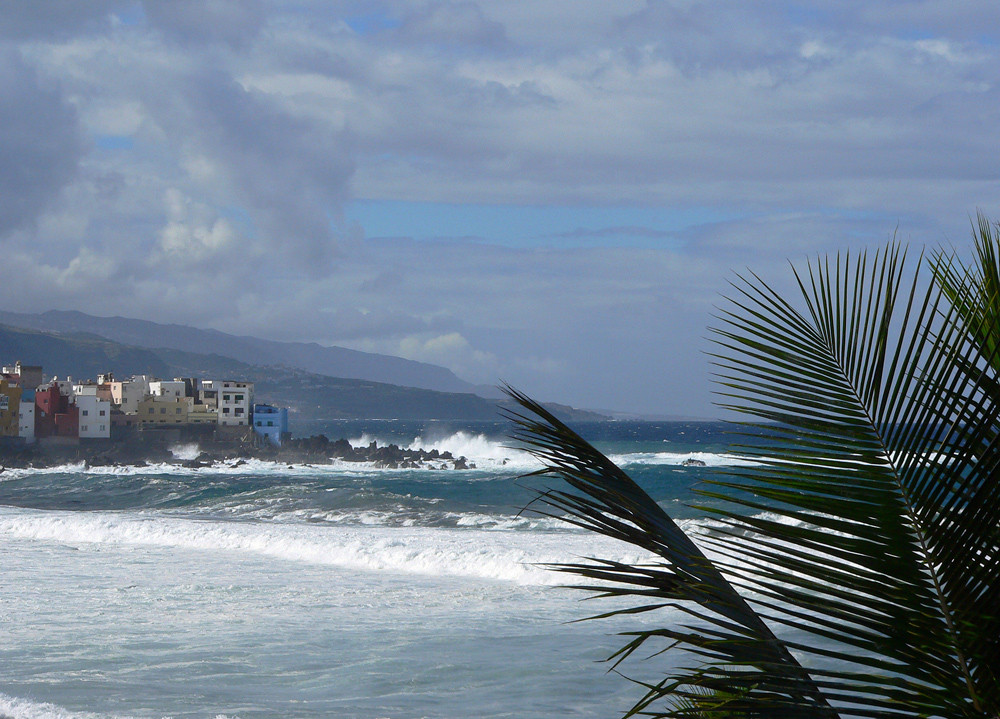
{"points": [[607, 501]]}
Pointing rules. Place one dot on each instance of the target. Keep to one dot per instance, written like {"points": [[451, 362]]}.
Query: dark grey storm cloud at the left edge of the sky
{"points": [[40, 142]]}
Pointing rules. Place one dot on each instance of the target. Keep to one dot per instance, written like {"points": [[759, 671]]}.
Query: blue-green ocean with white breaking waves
{"points": [[272, 590]]}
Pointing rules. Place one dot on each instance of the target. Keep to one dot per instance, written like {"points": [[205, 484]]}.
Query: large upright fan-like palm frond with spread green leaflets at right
{"points": [[886, 484]]}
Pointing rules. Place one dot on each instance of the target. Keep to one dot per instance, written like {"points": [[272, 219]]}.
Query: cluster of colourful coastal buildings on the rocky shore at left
{"points": [[35, 409]]}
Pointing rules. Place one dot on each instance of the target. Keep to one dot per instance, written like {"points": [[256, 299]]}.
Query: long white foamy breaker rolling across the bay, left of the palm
{"points": [[472, 553]]}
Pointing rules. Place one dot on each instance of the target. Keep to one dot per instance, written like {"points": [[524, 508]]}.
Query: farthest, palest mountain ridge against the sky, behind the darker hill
{"points": [[332, 361]]}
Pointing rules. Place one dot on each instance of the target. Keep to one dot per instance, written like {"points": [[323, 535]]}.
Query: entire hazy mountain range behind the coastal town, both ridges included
{"points": [[315, 382]]}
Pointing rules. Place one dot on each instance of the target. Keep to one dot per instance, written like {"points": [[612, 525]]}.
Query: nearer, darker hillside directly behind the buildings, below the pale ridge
{"points": [[307, 395]]}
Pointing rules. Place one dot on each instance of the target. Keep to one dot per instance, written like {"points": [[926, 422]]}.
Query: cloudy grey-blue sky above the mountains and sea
{"points": [[553, 193]]}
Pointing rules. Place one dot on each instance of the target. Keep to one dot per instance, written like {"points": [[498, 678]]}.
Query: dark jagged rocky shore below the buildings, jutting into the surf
{"points": [[309, 450]]}
